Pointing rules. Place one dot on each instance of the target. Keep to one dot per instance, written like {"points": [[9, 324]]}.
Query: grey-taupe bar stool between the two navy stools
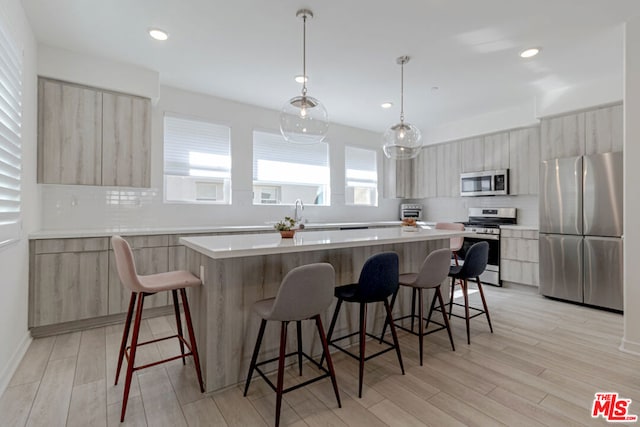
{"points": [[434, 270]]}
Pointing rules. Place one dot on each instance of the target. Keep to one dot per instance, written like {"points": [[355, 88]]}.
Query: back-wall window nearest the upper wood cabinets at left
{"points": [[197, 161]]}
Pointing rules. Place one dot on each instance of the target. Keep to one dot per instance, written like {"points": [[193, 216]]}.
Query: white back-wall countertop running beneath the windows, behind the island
{"points": [[138, 231]]}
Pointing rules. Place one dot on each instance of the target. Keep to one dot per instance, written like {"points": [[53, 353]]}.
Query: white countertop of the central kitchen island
{"points": [[232, 246]]}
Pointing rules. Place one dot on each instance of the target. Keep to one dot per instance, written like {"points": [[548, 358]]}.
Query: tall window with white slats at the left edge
{"points": [[10, 137]]}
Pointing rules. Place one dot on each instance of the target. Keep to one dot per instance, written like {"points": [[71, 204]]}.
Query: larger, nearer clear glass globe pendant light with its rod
{"points": [[304, 119]]}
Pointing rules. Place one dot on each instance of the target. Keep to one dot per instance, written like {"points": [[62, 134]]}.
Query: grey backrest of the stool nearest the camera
{"points": [[304, 292]]}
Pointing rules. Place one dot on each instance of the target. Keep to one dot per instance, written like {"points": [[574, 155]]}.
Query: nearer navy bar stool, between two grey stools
{"points": [[378, 280]]}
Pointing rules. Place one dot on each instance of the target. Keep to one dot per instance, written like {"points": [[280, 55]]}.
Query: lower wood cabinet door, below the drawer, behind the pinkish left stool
{"points": [[148, 261]]}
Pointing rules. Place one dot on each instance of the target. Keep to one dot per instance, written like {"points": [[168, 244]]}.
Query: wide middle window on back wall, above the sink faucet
{"points": [[284, 172]]}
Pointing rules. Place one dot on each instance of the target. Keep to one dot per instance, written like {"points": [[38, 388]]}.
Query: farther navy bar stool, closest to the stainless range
{"points": [[475, 262]]}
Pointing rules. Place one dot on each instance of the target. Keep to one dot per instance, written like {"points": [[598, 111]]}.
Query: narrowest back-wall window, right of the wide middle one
{"points": [[361, 176]]}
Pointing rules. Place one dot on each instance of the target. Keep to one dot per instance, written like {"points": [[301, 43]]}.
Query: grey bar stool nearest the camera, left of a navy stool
{"points": [[304, 293]]}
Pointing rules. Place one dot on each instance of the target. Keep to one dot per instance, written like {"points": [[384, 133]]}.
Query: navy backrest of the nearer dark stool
{"points": [[379, 277]]}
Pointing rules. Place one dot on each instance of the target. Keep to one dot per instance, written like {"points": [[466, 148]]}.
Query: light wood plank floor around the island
{"points": [[541, 366]]}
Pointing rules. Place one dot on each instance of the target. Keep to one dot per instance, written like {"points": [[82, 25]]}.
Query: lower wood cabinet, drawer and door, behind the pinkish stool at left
{"points": [[151, 255]]}
